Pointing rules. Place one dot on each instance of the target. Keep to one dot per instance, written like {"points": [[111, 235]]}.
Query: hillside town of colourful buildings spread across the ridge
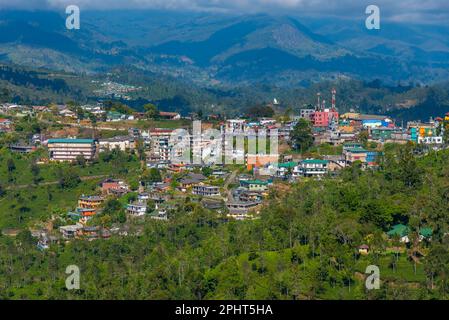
{"points": [[211, 167]]}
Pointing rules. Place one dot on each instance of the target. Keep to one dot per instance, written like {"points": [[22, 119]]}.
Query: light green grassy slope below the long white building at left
{"points": [[33, 192]]}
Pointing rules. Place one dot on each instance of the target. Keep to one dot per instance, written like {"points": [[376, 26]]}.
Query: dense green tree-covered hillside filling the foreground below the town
{"points": [[302, 247]]}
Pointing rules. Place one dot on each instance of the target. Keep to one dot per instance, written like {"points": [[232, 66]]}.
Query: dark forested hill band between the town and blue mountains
{"points": [[404, 101]]}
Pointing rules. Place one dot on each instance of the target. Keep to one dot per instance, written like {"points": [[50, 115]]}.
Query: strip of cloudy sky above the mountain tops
{"points": [[427, 11]]}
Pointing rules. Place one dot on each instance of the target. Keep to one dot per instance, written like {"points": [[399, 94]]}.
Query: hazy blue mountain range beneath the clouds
{"points": [[227, 50]]}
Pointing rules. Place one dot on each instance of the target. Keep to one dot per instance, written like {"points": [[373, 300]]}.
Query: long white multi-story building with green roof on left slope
{"points": [[70, 149]]}
